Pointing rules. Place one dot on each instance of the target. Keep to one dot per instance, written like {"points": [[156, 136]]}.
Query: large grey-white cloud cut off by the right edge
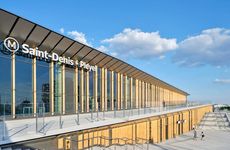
{"points": [[211, 46]]}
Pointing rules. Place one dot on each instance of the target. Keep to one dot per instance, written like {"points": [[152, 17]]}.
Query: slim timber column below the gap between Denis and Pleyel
{"points": [[76, 89]]}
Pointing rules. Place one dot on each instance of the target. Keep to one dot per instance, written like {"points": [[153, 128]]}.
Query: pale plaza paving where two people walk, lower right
{"points": [[214, 140]]}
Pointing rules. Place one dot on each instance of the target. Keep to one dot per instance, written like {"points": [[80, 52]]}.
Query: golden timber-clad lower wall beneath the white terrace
{"points": [[153, 129]]}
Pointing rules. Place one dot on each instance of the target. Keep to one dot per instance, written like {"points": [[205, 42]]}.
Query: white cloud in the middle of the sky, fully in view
{"points": [[134, 43]]}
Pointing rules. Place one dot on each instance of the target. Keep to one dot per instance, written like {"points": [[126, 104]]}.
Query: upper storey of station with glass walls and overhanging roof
{"points": [[41, 70]]}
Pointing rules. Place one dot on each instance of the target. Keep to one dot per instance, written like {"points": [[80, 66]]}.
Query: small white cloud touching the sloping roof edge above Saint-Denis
{"points": [[78, 36]]}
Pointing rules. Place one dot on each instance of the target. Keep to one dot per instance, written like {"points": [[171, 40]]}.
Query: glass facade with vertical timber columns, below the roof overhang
{"points": [[31, 85]]}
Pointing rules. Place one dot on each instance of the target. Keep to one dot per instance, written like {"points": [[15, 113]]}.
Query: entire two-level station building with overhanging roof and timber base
{"points": [[42, 71]]}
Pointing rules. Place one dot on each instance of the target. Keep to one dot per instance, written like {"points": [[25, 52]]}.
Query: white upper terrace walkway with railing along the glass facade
{"points": [[42, 122]]}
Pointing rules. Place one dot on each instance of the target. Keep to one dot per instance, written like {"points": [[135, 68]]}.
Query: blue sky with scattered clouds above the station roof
{"points": [[185, 43]]}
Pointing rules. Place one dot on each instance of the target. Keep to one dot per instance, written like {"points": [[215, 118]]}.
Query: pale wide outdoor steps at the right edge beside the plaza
{"points": [[215, 120]]}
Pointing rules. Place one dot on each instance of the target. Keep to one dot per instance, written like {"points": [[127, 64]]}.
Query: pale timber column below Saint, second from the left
{"points": [[34, 86]]}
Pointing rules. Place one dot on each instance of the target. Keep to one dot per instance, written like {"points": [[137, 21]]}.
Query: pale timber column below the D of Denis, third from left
{"points": [[51, 78]]}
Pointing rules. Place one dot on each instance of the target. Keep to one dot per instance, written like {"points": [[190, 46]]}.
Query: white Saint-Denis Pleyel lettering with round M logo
{"points": [[13, 46]]}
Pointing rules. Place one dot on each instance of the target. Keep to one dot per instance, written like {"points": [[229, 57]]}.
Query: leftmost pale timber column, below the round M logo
{"points": [[13, 112]]}
